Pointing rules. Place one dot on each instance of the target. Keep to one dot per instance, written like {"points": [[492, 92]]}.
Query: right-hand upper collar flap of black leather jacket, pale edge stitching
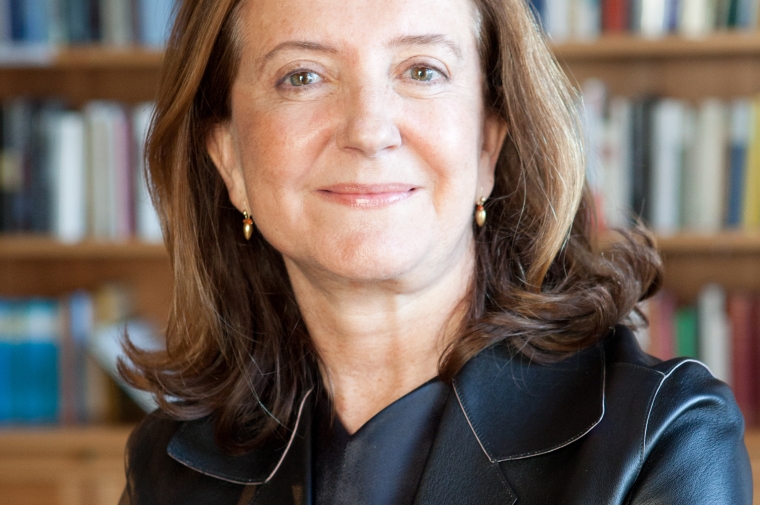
{"points": [[517, 409]]}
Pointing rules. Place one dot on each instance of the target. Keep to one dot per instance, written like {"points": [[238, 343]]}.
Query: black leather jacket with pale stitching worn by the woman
{"points": [[610, 425]]}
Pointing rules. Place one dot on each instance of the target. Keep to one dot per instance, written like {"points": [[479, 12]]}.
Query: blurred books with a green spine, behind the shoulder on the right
{"points": [[720, 329]]}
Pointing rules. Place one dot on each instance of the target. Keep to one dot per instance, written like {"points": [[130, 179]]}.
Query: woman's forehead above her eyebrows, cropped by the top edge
{"points": [[265, 23]]}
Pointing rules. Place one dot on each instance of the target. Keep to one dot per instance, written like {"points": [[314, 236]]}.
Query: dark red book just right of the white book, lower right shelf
{"points": [[740, 316]]}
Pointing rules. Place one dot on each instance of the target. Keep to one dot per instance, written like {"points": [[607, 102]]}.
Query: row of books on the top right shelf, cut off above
{"points": [[588, 19]]}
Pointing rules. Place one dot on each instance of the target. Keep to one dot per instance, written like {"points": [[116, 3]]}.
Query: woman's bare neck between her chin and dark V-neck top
{"points": [[378, 341]]}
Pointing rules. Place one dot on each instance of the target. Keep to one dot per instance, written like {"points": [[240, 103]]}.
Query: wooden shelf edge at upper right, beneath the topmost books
{"points": [[720, 44]]}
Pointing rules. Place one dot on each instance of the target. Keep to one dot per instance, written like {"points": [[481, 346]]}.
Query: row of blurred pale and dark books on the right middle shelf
{"points": [[676, 164]]}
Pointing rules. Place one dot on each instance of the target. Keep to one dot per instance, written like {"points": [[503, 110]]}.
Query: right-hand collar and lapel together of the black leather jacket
{"points": [[504, 407]]}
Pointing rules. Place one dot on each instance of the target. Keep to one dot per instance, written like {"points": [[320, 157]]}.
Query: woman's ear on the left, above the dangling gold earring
{"points": [[221, 146]]}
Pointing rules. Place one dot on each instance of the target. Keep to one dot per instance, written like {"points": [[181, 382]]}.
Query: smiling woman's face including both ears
{"points": [[358, 139]]}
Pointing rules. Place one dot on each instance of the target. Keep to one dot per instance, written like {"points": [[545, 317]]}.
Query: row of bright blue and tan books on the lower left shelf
{"points": [[56, 356]]}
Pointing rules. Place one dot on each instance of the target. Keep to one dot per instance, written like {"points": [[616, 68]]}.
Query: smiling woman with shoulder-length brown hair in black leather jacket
{"points": [[410, 310]]}
